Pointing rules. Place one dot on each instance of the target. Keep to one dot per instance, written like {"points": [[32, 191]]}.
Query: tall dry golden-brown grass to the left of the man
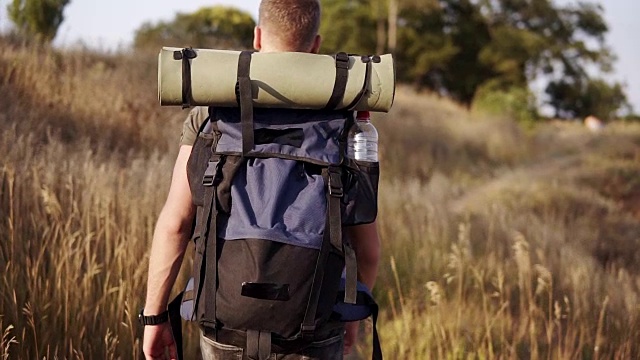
{"points": [[80, 187]]}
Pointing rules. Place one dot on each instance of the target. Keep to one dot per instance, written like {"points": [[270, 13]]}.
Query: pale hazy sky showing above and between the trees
{"points": [[110, 24]]}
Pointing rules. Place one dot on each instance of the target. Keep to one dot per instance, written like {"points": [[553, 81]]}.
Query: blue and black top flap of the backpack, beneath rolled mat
{"points": [[312, 136]]}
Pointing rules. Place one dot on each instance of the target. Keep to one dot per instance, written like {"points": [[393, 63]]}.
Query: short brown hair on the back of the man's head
{"points": [[294, 22]]}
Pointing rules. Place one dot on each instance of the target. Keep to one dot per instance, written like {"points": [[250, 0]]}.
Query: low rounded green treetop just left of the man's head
{"points": [[219, 27]]}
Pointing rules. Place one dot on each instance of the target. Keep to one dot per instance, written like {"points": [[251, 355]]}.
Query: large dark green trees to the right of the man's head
{"points": [[458, 47]]}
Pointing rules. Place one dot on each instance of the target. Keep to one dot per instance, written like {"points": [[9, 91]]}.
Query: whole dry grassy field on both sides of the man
{"points": [[499, 242]]}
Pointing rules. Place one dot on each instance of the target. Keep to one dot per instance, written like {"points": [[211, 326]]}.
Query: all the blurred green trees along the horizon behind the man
{"points": [[484, 54]]}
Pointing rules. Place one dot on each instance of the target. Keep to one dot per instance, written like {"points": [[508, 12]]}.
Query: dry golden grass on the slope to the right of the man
{"points": [[535, 258]]}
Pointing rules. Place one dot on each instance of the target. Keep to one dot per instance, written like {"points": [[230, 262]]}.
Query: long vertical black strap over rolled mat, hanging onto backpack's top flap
{"points": [[245, 100]]}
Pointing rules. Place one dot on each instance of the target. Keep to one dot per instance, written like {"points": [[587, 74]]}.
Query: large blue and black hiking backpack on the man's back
{"points": [[273, 189]]}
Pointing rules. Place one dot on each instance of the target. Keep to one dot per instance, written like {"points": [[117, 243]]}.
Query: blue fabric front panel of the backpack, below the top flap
{"points": [[276, 199]]}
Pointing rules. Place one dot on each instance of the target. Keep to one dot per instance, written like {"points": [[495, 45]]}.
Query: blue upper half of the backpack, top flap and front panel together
{"points": [[279, 193]]}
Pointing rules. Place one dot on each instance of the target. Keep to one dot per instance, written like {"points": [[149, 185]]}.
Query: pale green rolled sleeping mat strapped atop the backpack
{"points": [[204, 77]]}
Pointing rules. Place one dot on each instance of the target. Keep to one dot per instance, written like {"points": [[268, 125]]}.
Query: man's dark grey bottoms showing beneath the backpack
{"points": [[330, 348]]}
